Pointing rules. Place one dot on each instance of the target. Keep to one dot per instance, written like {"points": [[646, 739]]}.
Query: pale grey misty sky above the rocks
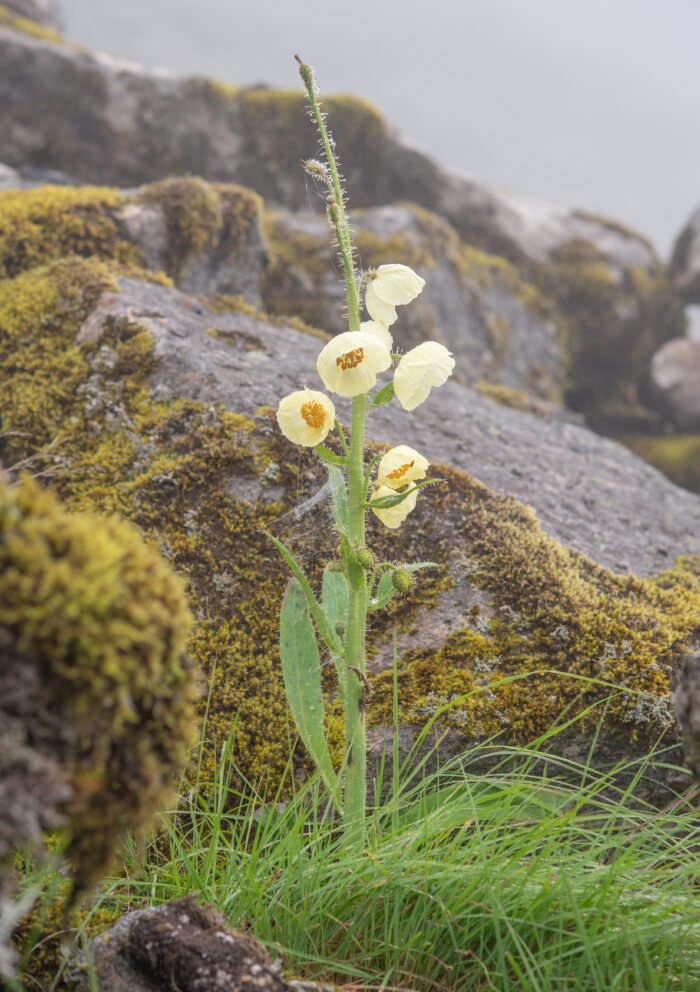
{"points": [[592, 103]]}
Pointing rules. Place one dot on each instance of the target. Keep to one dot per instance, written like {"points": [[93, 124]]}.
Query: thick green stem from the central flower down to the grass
{"points": [[355, 737]]}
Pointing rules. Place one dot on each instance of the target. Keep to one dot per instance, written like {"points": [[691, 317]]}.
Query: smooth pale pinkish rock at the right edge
{"points": [[675, 381]]}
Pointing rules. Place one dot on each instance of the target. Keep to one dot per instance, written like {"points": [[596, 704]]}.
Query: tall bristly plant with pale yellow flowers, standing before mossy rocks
{"points": [[348, 366]]}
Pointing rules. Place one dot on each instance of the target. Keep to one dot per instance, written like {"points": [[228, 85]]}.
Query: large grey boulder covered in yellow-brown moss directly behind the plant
{"points": [[556, 547]]}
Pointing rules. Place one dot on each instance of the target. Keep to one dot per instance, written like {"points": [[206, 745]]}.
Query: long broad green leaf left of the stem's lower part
{"points": [[301, 671]]}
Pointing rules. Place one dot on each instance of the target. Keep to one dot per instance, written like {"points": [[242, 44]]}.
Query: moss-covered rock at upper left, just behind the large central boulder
{"points": [[205, 237]]}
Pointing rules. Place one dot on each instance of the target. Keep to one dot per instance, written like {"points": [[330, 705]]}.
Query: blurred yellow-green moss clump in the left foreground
{"points": [[105, 622]]}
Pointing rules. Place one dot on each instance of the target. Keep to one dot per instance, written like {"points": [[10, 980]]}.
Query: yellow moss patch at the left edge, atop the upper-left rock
{"points": [[51, 222]]}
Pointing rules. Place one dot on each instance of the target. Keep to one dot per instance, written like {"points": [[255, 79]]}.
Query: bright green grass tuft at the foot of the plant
{"points": [[495, 881]]}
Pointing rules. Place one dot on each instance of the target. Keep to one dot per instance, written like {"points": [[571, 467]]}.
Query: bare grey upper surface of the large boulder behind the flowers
{"points": [[588, 492]]}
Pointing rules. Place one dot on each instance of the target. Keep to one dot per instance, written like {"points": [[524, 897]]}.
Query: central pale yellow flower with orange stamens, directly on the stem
{"points": [[349, 363]]}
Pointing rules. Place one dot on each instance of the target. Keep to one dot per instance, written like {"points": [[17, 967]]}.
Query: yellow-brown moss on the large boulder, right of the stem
{"points": [[552, 610]]}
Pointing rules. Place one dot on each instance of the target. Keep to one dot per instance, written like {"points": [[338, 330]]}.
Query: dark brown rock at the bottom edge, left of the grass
{"points": [[178, 945]]}
